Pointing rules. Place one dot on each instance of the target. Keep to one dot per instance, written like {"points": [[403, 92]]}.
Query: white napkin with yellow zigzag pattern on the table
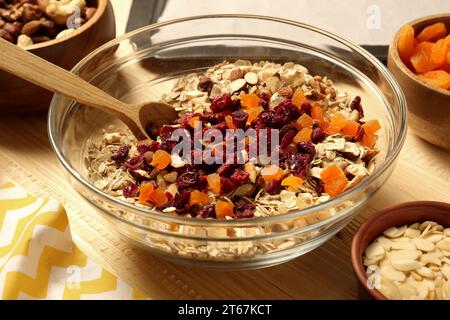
{"points": [[38, 259]]}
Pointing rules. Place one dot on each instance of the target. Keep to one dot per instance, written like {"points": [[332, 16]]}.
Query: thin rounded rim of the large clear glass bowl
{"points": [[149, 213]]}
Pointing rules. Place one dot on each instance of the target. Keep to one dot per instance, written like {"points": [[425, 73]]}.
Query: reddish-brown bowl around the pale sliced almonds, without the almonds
{"points": [[395, 216]]}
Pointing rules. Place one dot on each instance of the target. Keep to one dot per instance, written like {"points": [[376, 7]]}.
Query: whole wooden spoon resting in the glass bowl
{"points": [[44, 74]]}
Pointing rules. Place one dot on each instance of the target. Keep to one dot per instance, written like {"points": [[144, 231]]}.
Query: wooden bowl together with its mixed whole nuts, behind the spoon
{"points": [[40, 32]]}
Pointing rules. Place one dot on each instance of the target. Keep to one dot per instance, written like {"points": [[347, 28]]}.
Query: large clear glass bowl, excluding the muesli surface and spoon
{"points": [[143, 64]]}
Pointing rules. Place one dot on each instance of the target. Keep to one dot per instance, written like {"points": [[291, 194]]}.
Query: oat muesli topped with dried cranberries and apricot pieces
{"points": [[326, 146]]}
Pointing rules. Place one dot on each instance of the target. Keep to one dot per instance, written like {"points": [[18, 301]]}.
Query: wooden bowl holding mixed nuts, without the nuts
{"points": [[19, 96]]}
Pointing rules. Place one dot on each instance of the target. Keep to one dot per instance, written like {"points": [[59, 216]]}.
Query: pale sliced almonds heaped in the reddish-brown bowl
{"points": [[412, 262]]}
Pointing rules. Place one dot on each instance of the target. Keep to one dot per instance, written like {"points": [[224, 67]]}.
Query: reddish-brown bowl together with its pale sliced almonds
{"points": [[403, 251]]}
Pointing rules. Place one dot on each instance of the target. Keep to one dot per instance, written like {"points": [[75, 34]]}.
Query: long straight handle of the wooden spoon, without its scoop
{"points": [[44, 74]]}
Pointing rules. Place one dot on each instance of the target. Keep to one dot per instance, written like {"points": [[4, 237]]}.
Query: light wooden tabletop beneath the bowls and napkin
{"points": [[422, 173]]}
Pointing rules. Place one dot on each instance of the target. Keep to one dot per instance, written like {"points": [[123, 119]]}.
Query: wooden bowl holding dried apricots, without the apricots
{"points": [[429, 106]]}
